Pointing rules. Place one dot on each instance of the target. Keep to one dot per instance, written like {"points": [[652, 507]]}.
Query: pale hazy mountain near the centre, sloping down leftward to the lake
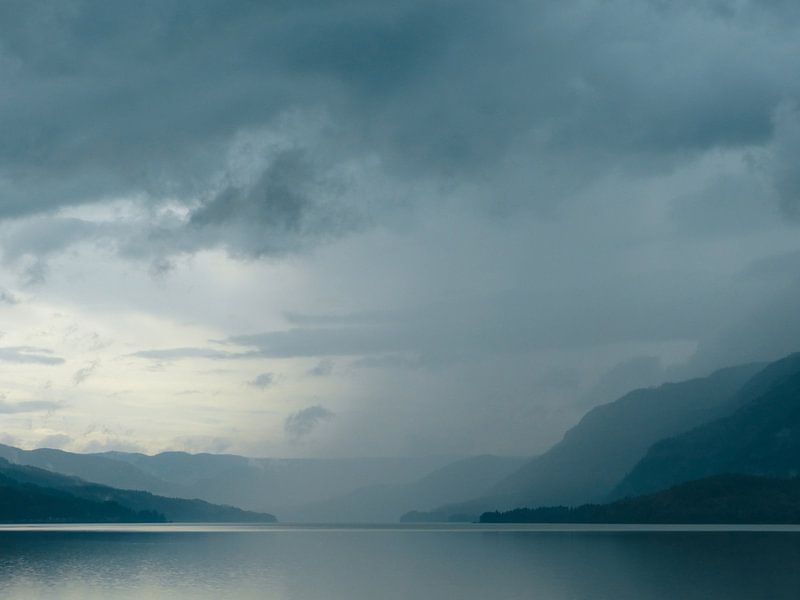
{"points": [[386, 503]]}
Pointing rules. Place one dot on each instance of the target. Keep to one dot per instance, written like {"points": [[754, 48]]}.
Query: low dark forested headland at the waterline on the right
{"points": [[718, 499]]}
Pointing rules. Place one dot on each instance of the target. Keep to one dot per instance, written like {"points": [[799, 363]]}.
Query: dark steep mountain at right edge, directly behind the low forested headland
{"points": [[761, 438]]}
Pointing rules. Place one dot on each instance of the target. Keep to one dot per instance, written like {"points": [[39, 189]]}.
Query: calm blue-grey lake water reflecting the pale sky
{"points": [[360, 563]]}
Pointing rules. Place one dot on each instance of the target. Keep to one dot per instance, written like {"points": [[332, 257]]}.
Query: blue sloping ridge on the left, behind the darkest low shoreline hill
{"points": [[89, 496]]}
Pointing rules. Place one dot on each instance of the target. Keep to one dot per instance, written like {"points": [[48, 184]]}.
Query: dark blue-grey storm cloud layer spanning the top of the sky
{"points": [[529, 101]]}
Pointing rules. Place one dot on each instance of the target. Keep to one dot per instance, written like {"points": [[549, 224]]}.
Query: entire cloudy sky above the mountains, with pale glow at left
{"points": [[374, 228]]}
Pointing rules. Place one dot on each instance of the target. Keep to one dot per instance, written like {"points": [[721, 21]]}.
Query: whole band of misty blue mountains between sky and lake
{"points": [[724, 448]]}
